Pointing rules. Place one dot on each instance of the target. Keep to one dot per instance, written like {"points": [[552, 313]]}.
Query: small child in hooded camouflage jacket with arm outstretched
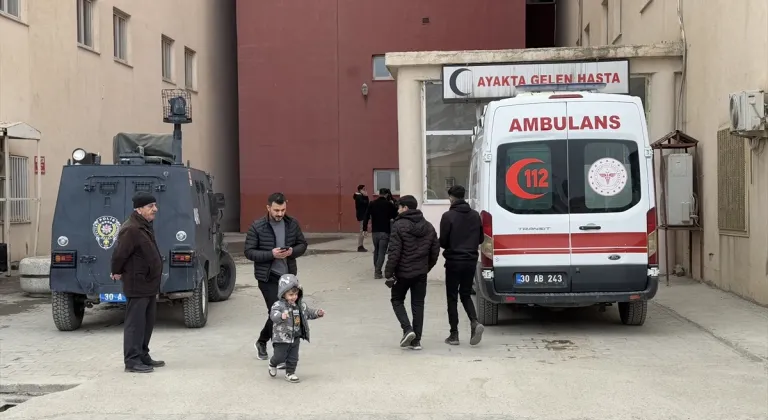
{"points": [[290, 317]]}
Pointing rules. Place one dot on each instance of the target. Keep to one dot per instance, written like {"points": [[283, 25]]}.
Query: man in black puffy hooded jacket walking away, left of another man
{"points": [[413, 251]]}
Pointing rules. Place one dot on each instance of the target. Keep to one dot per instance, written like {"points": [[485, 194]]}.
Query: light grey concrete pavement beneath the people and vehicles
{"points": [[702, 354]]}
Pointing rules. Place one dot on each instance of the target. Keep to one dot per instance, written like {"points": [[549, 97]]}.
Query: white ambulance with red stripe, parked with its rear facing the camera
{"points": [[562, 176]]}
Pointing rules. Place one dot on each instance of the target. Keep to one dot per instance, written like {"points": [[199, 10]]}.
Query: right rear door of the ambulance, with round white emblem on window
{"points": [[609, 196]]}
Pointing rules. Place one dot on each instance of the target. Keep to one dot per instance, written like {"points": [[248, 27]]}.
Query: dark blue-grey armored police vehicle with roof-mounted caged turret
{"points": [[94, 200]]}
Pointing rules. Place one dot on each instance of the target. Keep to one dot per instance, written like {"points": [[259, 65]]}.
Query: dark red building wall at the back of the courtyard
{"points": [[305, 127]]}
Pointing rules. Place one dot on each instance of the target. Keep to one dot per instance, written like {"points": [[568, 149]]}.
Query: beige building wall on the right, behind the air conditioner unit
{"points": [[727, 52]]}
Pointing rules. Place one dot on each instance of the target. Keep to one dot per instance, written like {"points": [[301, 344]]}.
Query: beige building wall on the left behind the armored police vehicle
{"points": [[78, 97]]}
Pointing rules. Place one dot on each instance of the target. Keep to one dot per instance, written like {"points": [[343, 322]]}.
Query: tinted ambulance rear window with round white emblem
{"points": [[604, 175]]}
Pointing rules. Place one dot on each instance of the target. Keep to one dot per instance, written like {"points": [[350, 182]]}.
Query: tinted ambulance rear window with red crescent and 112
{"points": [[531, 177]]}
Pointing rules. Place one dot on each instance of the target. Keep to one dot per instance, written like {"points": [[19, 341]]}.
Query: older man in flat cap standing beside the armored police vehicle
{"points": [[137, 263]]}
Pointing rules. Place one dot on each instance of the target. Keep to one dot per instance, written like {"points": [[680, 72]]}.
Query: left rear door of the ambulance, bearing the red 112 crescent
{"points": [[529, 199]]}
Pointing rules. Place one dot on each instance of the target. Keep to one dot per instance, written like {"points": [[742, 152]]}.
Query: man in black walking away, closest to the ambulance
{"points": [[461, 233]]}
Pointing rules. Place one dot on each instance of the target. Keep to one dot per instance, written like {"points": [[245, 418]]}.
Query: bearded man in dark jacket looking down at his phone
{"points": [[273, 243]]}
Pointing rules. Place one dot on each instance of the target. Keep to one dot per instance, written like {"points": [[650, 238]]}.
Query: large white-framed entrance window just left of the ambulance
{"points": [[447, 142]]}
